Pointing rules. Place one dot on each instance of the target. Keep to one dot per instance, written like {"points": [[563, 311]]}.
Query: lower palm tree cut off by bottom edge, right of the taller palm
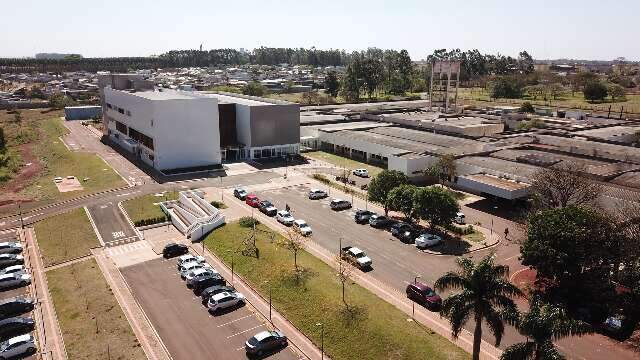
{"points": [[543, 324]]}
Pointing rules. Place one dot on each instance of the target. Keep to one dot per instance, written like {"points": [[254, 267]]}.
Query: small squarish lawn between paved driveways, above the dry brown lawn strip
{"points": [[66, 236]]}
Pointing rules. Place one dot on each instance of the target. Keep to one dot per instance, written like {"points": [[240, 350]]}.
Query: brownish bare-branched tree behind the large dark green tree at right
{"points": [[563, 185]]}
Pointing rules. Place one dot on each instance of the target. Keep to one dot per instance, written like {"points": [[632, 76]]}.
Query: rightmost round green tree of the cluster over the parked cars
{"points": [[436, 205]]}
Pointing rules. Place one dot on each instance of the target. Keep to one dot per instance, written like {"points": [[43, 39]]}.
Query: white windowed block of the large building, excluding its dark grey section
{"points": [[166, 129]]}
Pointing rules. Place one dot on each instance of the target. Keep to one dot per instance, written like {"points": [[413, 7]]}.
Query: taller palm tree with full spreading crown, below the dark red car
{"points": [[485, 293]]}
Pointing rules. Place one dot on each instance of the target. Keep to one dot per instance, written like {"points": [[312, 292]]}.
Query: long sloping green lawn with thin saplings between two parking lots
{"points": [[370, 328]]}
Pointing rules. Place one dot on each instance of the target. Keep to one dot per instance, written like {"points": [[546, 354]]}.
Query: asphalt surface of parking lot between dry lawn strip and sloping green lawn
{"points": [[184, 324]]}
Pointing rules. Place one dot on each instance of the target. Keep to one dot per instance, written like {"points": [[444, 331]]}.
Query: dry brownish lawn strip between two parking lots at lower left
{"points": [[92, 323]]}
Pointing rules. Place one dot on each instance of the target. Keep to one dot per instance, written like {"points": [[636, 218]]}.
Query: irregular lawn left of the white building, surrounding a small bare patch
{"points": [[58, 161]]}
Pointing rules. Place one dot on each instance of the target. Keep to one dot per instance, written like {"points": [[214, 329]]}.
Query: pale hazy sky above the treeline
{"points": [[585, 29]]}
